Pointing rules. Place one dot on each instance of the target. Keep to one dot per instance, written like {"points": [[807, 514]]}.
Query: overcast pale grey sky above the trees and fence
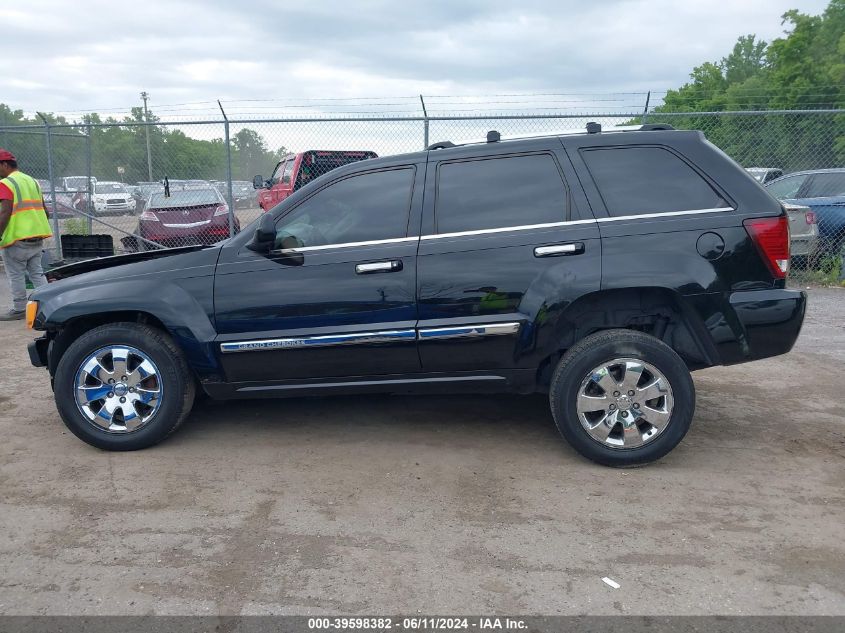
{"points": [[99, 55]]}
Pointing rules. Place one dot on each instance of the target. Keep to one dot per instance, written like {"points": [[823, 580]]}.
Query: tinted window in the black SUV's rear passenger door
{"points": [[499, 192]]}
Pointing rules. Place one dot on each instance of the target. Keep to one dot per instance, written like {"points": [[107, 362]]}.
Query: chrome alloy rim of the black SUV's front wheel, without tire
{"points": [[118, 389]]}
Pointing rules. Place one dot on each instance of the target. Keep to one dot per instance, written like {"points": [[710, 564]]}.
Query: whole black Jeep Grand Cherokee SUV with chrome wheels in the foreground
{"points": [[599, 267]]}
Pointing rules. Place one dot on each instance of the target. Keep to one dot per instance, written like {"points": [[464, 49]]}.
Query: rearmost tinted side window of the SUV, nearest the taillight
{"points": [[639, 180]]}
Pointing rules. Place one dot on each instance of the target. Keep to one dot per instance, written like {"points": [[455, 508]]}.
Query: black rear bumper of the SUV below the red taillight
{"points": [[760, 324]]}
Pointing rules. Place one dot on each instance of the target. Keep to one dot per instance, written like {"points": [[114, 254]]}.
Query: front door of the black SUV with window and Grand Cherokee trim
{"points": [[335, 298]]}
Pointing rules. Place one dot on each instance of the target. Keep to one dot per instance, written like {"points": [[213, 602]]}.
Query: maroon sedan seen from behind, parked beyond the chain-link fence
{"points": [[187, 216]]}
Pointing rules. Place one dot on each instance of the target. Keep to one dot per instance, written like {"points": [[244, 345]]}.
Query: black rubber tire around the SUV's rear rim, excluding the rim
{"points": [[603, 347]]}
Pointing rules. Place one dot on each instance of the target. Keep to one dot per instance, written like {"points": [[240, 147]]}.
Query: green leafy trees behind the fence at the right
{"points": [[805, 69]]}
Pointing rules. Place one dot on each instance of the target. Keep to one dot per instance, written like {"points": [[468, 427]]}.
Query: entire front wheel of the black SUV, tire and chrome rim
{"points": [[123, 386]]}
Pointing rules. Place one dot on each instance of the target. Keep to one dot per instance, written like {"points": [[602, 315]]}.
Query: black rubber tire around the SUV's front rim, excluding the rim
{"points": [[177, 384]]}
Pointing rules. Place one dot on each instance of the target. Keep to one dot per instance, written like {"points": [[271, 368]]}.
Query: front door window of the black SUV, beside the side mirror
{"points": [[372, 206]]}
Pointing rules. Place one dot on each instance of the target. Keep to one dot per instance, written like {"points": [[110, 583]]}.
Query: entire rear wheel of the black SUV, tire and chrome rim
{"points": [[622, 398]]}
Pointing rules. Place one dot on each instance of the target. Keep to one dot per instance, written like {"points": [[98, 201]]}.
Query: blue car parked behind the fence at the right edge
{"points": [[823, 191]]}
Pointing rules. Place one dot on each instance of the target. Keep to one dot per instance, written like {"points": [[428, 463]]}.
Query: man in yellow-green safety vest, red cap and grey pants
{"points": [[23, 228]]}
